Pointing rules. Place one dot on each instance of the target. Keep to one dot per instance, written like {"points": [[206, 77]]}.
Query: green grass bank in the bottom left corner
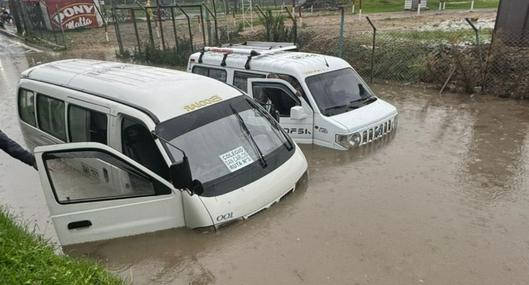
{"points": [[26, 258]]}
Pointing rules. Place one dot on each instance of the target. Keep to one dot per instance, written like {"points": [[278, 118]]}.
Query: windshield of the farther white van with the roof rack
{"points": [[339, 91]]}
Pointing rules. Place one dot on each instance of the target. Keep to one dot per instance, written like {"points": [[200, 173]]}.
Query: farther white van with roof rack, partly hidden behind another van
{"points": [[317, 99]]}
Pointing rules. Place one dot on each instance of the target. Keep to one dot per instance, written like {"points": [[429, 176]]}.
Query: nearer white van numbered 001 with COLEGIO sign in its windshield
{"points": [[127, 149]]}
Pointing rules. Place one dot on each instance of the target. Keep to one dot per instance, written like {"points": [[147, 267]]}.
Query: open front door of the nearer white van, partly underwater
{"points": [[95, 193]]}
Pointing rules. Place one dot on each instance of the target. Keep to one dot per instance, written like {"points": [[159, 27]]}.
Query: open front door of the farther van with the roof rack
{"points": [[283, 102]]}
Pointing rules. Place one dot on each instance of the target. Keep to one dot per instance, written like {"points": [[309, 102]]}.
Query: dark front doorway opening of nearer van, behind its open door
{"points": [[139, 145]]}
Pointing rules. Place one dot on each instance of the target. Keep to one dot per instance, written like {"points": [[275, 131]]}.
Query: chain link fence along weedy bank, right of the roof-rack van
{"points": [[464, 58]]}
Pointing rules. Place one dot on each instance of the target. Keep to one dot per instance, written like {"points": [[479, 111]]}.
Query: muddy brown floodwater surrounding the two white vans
{"points": [[443, 201]]}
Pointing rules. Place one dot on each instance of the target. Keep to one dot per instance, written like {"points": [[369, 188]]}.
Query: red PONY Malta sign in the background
{"points": [[72, 14]]}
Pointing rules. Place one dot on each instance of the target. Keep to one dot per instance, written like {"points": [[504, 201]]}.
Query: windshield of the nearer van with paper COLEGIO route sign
{"points": [[229, 144]]}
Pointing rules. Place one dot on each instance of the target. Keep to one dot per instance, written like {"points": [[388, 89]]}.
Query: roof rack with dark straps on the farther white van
{"points": [[249, 48]]}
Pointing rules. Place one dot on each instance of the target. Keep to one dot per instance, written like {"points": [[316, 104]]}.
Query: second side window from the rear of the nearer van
{"points": [[50, 114]]}
